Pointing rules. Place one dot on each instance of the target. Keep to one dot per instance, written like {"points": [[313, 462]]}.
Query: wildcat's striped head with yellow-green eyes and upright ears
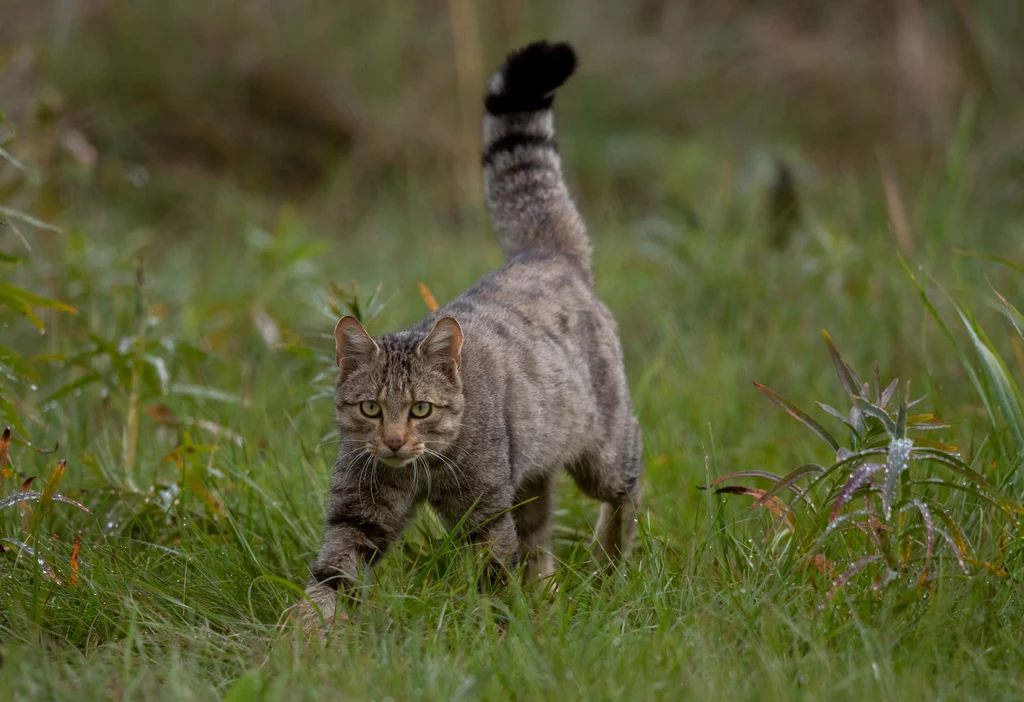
{"points": [[400, 397]]}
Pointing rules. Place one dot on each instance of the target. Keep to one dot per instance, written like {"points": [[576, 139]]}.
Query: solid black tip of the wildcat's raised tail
{"points": [[530, 76]]}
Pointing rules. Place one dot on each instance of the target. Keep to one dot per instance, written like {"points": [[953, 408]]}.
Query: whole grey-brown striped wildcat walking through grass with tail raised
{"points": [[476, 408]]}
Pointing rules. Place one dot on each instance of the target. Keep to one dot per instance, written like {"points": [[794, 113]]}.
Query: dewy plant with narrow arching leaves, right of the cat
{"points": [[884, 492]]}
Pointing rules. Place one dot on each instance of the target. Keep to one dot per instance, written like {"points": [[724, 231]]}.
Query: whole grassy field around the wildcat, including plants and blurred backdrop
{"points": [[193, 196]]}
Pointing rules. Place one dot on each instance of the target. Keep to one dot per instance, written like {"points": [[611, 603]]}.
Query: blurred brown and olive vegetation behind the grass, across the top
{"points": [[338, 106]]}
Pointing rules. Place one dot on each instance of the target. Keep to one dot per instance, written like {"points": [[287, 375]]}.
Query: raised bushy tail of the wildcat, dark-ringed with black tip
{"points": [[523, 173]]}
